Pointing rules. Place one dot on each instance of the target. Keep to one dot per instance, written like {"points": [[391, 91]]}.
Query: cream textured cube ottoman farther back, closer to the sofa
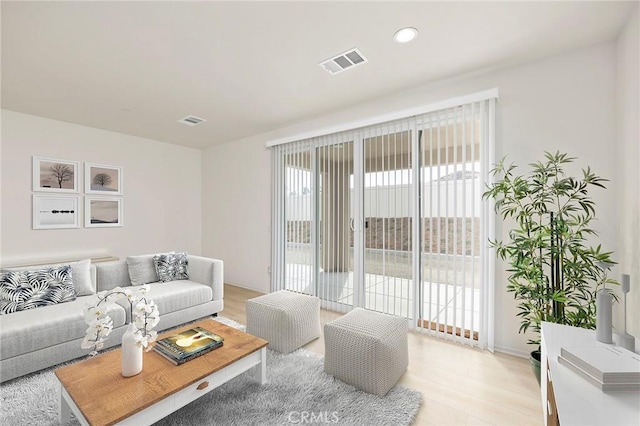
{"points": [[287, 320]]}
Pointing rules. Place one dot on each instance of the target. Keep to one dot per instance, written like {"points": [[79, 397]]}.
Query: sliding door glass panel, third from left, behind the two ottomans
{"points": [[388, 223]]}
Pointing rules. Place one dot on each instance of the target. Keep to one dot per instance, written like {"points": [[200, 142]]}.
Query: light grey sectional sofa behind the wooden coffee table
{"points": [[33, 339]]}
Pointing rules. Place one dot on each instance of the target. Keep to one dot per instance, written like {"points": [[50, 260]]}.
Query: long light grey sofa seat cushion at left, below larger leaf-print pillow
{"points": [[31, 330]]}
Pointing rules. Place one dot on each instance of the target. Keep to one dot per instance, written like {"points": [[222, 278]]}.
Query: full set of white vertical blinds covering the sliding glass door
{"points": [[389, 217]]}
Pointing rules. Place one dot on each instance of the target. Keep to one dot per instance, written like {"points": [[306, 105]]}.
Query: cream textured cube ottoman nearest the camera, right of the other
{"points": [[367, 349]]}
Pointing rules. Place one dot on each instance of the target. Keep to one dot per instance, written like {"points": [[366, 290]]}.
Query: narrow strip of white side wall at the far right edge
{"points": [[628, 161]]}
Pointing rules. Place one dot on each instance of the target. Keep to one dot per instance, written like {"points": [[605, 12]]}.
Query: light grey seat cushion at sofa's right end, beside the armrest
{"points": [[176, 295]]}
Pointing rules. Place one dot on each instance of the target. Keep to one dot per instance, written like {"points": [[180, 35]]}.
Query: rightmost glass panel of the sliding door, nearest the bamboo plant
{"points": [[450, 193]]}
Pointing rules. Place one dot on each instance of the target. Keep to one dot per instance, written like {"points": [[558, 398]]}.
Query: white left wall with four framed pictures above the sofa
{"points": [[162, 191]]}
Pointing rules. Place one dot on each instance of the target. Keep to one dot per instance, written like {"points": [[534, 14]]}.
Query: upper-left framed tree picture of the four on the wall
{"points": [[52, 175]]}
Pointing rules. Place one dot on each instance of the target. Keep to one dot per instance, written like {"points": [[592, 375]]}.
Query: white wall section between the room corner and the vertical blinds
{"points": [[236, 217]]}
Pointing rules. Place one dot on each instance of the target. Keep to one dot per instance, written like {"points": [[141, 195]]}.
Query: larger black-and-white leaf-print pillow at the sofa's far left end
{"points": [[22, 290]]}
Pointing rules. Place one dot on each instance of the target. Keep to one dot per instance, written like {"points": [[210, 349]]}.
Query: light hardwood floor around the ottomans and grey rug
{"points": [[460, 385]]}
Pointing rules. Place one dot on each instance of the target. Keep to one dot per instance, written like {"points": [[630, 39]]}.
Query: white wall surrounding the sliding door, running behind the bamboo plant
{"points": [[564, 103]]}
